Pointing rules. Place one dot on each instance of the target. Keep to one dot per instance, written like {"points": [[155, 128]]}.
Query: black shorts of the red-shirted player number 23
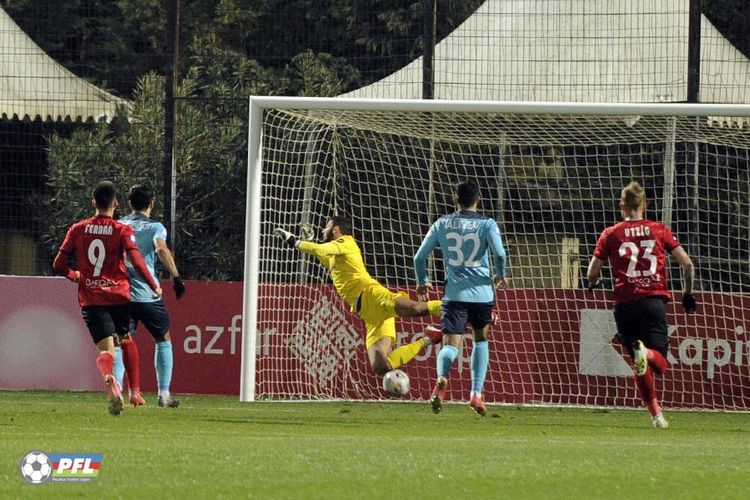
{"points": [[644, 320]]}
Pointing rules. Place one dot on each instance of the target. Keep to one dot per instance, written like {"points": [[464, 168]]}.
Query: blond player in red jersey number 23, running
{"points": [[636, 249]]}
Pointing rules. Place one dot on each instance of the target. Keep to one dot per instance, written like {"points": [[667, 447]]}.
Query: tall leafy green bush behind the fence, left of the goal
{"points": [[211, 139]]}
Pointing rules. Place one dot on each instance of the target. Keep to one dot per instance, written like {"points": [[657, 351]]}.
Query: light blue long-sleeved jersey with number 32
{"points": [[464, 237]]}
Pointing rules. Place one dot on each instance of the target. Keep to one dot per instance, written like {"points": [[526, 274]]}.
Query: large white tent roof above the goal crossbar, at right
{"points": [[575, 51]]}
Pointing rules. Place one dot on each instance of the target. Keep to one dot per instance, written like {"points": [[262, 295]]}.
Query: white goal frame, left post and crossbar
{"points": [[717, 113]]}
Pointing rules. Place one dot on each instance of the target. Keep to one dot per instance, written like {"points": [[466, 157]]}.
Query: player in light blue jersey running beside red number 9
{"points": [[151, 238]]}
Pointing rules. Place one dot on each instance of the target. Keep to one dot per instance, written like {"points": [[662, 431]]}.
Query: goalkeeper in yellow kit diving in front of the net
{"points": [[371, 301]]}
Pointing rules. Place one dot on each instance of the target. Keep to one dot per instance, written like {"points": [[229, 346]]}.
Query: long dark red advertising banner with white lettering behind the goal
{"points": [[550, 346]]}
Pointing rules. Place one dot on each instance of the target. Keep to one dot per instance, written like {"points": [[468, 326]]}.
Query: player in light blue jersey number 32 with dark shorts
{"points": [[465, 238]]}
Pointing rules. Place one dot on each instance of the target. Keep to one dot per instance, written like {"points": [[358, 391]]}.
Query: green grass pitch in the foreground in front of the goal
{"points": [[215, 447]]}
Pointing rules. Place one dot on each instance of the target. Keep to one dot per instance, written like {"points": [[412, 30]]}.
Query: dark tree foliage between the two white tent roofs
{"points": [[114, 42]]}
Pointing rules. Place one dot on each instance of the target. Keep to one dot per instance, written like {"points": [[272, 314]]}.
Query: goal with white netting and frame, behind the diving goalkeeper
{"points": [[551, 175]]}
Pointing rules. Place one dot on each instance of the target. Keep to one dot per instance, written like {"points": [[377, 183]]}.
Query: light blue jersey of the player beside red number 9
{"points": [[146, 232]]}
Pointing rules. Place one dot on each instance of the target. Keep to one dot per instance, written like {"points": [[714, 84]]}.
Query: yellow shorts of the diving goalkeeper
{"points": [[378, 311]]}
